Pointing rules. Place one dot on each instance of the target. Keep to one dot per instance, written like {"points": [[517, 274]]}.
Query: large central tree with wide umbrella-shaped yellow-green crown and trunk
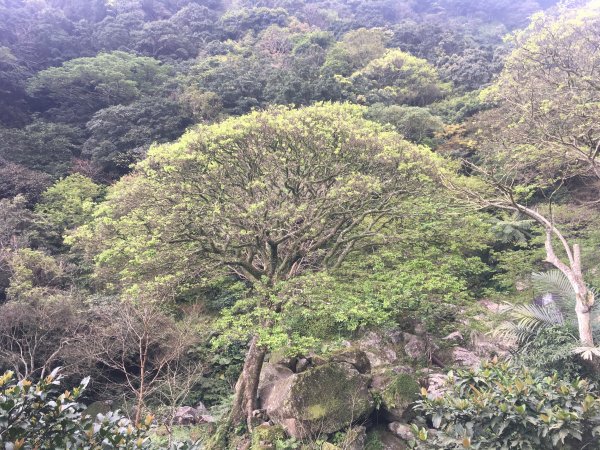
{"points": [[265, 198]]}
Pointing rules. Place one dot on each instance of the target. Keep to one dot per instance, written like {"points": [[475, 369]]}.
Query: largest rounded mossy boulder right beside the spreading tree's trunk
{"points": [[320, 400]]}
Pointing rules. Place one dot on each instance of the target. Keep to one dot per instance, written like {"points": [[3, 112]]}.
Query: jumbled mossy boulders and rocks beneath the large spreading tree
{"points": [[367, 388]]}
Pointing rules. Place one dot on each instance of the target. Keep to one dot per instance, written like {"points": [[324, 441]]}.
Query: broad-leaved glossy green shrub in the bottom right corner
{"points": [[501, 406]]}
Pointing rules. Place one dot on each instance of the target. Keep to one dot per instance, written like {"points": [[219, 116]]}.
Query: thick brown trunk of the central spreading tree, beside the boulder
{"points": [[246, 388]]}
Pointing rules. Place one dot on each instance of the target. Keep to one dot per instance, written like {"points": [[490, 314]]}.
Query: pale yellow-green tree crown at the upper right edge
{"points": [[535, 138]]}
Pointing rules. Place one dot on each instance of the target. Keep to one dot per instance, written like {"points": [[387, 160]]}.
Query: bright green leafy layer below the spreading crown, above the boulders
{"points": [[429, 279]]}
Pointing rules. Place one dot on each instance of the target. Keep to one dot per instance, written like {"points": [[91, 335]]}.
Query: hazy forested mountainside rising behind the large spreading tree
{"points": [[82, 72]]}
